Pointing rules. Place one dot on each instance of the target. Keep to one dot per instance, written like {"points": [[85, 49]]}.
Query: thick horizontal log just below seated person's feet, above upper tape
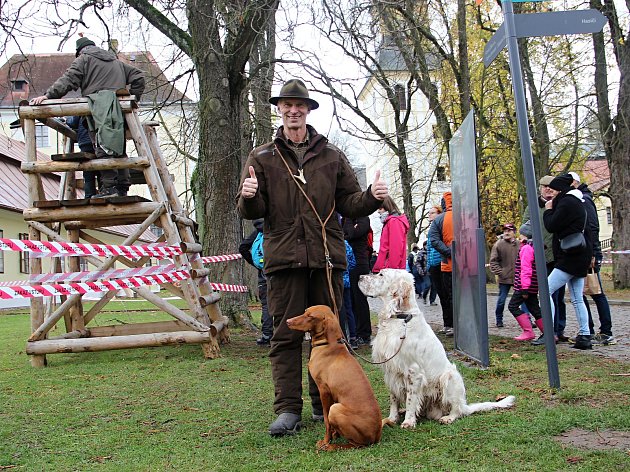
{"points": [[90, 212]]}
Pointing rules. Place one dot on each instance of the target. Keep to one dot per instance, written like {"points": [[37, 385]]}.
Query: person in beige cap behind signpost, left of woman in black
{"points": [[560, 320]]}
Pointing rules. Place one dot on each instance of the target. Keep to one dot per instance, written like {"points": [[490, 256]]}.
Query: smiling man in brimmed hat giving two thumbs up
{"points": [[296, 183]]}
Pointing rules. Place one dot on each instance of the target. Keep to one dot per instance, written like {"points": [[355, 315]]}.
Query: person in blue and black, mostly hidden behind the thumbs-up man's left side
{"points": [[251, 250]]}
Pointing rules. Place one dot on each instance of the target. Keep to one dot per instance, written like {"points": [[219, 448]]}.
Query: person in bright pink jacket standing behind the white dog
{"points": [[392, 252]]}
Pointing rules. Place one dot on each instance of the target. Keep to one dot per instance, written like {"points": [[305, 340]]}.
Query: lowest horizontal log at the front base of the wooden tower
{"points": [[48, 346]]}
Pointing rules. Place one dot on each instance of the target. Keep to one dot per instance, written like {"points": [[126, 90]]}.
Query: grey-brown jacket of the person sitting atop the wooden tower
{"points": [[94, 70]]}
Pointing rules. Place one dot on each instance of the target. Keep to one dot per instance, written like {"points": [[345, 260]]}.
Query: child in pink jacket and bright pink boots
{"points": [[525, 286]]}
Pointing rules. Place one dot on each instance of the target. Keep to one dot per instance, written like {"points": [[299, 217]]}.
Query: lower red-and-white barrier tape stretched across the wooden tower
{"points": [[34, 291]]}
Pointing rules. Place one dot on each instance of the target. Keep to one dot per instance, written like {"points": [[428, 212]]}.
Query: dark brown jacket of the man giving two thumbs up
{"points": [[292, 232]]}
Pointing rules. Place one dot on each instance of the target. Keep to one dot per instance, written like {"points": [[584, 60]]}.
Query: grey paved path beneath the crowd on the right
{"points": [[620, 320]]}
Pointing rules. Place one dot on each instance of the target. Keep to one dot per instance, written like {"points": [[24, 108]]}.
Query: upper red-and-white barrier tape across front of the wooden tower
{"points": [[51, 248]]}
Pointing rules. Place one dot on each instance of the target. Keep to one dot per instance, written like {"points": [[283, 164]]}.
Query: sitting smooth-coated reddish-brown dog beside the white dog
{"points": [[350, 407]]}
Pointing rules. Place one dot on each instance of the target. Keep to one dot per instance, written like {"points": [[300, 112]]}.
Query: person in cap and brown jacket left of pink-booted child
{"points": [[502, 258]]}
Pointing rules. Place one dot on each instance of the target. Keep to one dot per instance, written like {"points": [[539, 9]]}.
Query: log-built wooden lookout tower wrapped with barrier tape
{"points": [[204, 324]]}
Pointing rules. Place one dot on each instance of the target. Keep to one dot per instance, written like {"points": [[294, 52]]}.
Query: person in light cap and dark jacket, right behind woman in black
{"points": [[605, 335]]}
